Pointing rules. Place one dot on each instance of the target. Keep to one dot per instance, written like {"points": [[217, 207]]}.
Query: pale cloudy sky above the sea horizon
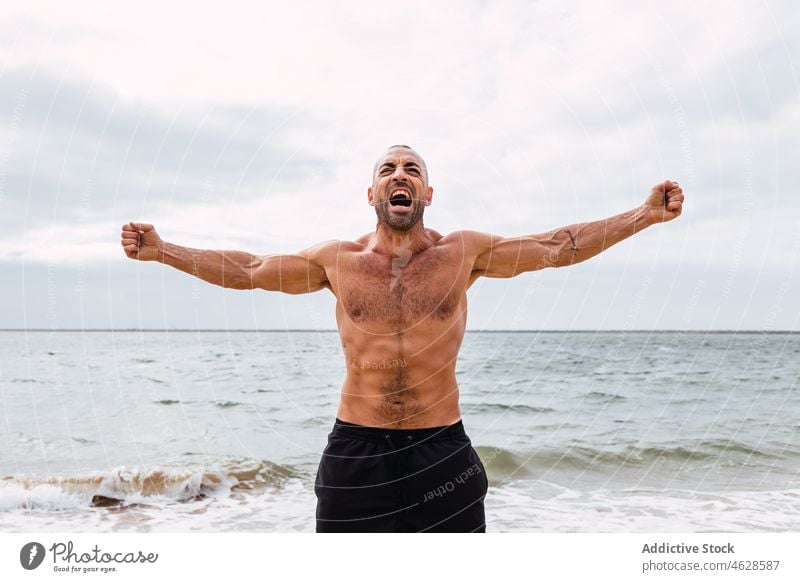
{"points": [[255, 126]]}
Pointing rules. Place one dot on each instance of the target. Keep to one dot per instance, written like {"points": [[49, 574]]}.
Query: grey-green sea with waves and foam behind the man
{"points": [[222, 431]]}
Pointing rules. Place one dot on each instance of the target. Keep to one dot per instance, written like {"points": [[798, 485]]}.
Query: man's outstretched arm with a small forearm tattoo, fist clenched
{"points": [[507, 257]]}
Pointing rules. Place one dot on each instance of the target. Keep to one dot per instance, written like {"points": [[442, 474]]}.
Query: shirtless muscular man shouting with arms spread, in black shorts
{"points": [[398, 458]]}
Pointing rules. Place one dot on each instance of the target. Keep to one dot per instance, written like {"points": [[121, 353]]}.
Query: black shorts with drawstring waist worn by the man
{"points": [[400, 480]]}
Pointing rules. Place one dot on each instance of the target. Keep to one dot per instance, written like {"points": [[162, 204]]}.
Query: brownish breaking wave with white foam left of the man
{"points": [[125, 486]]}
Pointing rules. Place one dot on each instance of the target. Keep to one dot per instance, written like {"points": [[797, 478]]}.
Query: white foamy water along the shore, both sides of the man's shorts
{"points": [[514, 508]]}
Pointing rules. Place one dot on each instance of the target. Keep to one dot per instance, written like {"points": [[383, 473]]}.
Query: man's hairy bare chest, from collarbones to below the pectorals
{"points": [[403, 289]]}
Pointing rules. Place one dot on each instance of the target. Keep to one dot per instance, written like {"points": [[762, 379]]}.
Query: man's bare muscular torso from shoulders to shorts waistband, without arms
{"points": [[401, 321]]}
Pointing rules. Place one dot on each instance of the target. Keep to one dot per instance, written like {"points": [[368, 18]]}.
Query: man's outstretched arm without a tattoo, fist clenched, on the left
{"points": [[298, 273]]}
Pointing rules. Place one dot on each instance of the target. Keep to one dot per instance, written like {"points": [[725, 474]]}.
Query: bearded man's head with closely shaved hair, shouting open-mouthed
{"points": [[400, 188]]}
